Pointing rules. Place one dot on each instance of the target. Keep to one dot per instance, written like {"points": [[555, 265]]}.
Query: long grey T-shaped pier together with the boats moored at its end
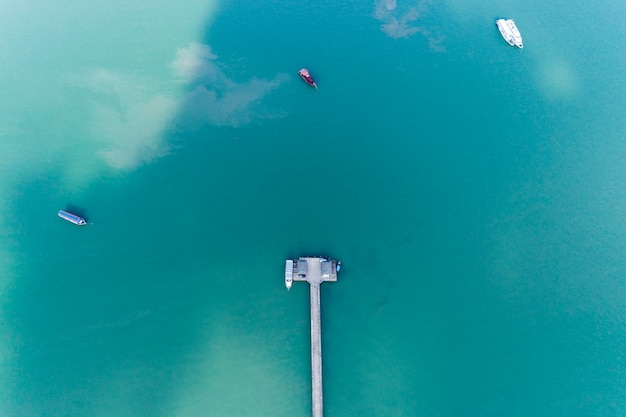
{"points": [[313, 270]]}
